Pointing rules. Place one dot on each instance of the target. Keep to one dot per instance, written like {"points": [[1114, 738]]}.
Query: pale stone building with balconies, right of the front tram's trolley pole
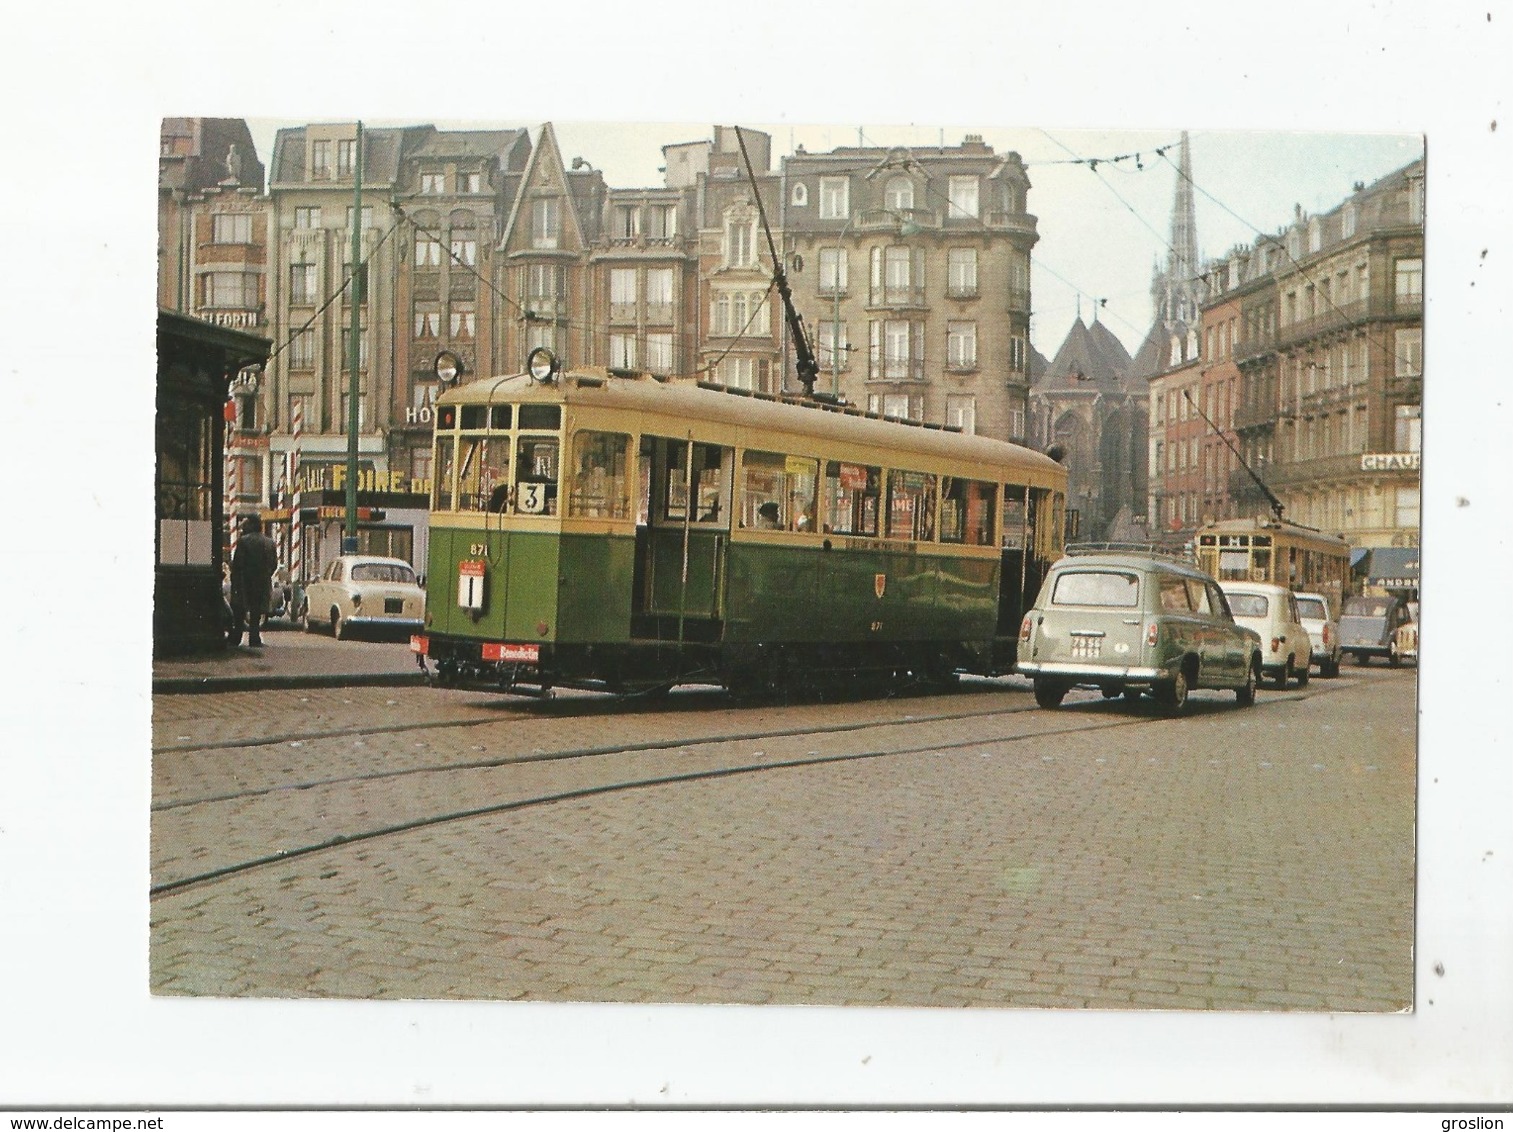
{"points": [[912, 270]]}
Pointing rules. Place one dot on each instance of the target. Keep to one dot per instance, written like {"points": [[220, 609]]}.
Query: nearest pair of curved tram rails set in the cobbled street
{"points": [[642, 783]]}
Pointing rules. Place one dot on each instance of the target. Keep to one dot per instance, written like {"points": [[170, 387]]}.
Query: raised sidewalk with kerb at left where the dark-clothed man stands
{"points": [[291, 659]]}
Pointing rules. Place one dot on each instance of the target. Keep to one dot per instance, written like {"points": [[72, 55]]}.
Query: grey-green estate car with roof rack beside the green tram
{"points": [[1136, 624]]}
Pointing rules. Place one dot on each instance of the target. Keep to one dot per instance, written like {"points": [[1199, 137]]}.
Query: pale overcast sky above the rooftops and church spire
{"points": [[1102, 228]]}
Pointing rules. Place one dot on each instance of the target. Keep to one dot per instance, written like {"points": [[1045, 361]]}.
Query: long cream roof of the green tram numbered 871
{"points": [[597, 388]]}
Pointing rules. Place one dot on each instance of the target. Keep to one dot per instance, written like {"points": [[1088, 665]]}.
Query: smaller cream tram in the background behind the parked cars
{"points": [[1276, 552]]}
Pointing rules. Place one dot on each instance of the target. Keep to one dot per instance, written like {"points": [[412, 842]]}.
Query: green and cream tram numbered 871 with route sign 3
{"points": [[615, 532]]}
